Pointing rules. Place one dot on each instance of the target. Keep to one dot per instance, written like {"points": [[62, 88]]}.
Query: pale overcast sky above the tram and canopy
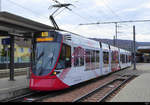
{"points": [[89, 11]]}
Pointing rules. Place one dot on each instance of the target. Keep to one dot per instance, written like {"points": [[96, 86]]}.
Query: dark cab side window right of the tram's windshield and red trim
{"points": [[65, 58]]}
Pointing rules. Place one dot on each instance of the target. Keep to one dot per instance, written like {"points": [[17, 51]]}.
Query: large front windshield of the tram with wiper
{"points": [[46, 55]]}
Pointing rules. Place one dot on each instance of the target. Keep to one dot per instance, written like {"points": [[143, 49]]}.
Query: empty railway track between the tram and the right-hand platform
{"points": [[101, 93]]}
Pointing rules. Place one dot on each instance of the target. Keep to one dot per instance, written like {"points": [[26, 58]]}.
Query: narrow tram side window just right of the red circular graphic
{"points": [[88, 60]]}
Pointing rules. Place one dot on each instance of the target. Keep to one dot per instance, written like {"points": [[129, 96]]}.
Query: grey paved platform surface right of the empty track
{"points": [[138, 90]]}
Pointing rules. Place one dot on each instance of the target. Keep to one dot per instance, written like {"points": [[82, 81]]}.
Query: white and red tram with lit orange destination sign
{"points": [[64, 59]]}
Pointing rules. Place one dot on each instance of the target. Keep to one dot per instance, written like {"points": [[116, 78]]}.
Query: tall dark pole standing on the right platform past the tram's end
{"points": [[134, 48]]}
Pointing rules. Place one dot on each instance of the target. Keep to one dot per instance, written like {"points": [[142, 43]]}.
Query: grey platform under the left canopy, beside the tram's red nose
{"points": [[9, 89]]}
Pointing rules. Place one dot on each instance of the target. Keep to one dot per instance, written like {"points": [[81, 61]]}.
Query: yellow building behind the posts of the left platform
{"points": [[22, 52]]}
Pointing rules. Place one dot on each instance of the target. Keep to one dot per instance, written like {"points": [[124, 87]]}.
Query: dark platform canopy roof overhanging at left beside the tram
{"points": [[13, 24]]}
